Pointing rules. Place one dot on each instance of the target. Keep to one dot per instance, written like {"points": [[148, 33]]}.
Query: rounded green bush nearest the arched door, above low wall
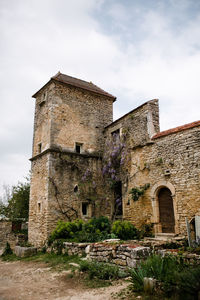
{"points": [[124, 230]]}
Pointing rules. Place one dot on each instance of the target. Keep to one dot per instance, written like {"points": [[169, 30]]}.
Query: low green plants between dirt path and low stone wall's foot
{"points": [[101, 271]]}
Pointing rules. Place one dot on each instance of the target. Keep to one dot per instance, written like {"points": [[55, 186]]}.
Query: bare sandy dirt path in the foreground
{"points": [[34, 281]]}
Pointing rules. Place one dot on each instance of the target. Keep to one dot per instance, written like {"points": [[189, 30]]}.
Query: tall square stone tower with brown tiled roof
{"points": [[70, 116]]}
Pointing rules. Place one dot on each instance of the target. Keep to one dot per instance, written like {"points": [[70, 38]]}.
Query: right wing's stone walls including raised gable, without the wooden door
{"points": [[171, 161]]}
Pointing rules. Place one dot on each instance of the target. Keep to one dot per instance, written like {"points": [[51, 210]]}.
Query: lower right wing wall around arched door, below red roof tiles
{"points": [[172, 161]]}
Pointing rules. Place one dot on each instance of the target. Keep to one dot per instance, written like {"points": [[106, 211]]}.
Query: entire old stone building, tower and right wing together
{"points": [[158, 181]]}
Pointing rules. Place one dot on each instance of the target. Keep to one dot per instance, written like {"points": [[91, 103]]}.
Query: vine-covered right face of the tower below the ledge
{"points": [[75, 179]]}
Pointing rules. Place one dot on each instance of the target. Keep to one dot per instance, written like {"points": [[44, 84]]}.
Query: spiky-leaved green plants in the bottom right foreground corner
{"points": [[173, 277]]}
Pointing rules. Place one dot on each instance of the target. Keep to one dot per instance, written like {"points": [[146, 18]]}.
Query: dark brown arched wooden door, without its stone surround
{"points": [[166, 210]]}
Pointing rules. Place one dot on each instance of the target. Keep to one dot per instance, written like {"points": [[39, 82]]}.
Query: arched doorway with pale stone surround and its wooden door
{"points": [[164, 207]]}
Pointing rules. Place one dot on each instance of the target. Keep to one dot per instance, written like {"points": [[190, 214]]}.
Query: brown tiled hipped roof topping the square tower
{"points": [[72, 81]]}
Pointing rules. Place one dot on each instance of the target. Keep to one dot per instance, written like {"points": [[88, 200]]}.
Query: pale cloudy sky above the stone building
{"points": [[135, 49]]}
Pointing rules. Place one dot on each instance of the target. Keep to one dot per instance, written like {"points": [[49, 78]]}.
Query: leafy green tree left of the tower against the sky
{"points": [[17, 202]]}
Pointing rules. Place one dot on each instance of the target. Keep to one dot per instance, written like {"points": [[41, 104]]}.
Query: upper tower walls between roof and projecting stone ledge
{"points": [[67, 115]]}
